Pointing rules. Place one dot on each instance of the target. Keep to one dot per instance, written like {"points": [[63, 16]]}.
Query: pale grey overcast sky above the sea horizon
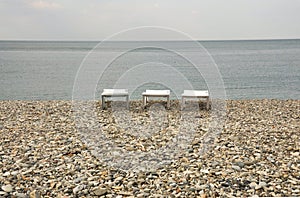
{"points": [[99, 19]]}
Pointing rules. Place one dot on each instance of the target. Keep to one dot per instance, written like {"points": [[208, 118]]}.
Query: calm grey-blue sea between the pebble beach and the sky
{"points": [[51, 70]]}
